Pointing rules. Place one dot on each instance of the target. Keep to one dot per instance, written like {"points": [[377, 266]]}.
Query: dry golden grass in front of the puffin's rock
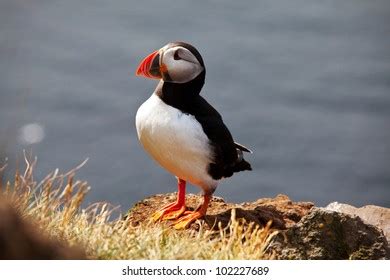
{"points": [[54, 204]]}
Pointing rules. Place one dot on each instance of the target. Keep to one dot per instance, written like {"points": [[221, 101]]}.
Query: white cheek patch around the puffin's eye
{"points": [[184, 69]]}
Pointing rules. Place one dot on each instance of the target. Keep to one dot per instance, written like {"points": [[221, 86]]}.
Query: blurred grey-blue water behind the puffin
{"points": [[304, 84]]}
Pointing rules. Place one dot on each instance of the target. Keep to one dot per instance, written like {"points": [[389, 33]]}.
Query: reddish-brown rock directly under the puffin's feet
{"points": [[281, 210]]}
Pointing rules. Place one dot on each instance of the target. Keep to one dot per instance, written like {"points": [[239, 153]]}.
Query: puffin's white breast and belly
{"points": [[176, 141]]}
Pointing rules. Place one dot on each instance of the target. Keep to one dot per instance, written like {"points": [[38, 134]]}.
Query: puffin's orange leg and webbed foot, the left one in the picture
{"points": [[175, 209]]}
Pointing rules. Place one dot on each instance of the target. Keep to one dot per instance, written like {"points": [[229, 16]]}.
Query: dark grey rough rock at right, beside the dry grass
{"points": [[325, 234]]}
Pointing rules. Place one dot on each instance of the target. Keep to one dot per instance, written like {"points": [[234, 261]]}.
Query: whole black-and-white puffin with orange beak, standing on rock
{"points": [[182, 132]]}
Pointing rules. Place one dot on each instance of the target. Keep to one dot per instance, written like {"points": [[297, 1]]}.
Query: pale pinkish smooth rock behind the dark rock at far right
{"points": [[370, 214]]}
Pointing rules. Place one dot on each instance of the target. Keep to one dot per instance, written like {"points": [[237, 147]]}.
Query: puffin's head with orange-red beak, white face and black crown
{"points": [[175, 63]]}
